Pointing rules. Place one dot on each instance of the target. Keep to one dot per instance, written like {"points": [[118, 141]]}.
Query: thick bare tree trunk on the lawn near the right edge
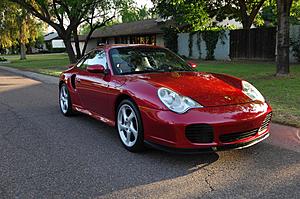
{"points": [[283, 37]]}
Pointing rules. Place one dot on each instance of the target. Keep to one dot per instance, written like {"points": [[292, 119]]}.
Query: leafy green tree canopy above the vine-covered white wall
{"points": [[196, 13]]}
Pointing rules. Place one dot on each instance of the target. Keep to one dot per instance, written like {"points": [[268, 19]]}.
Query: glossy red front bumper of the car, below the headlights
{"points": [[168, 129]]}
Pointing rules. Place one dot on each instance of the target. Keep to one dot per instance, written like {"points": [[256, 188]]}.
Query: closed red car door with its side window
{"points": [[92, 87]]}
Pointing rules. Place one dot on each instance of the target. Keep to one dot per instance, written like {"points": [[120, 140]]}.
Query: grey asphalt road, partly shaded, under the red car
{"points": [[46, 155]]}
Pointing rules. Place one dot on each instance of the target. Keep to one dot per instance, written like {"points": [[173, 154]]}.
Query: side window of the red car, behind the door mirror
{"points": [[93, 58]]}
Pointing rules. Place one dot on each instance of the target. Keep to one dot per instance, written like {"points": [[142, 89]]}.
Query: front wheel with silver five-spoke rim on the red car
{"points": [[129, 126]]}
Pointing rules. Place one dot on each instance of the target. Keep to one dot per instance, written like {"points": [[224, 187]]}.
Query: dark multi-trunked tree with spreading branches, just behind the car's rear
{"points": [[65, 16]]}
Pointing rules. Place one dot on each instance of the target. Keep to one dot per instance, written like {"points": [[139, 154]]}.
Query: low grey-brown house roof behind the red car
{"points": [[149, 26]]}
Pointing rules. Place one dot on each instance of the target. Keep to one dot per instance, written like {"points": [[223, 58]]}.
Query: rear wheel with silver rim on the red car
{"points": [[65, 103]]}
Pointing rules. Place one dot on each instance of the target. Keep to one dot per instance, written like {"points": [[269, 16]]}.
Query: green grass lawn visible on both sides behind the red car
{"points": [[283, 93]]}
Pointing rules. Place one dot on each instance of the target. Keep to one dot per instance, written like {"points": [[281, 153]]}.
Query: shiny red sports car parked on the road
{"points": [[154, 97]]}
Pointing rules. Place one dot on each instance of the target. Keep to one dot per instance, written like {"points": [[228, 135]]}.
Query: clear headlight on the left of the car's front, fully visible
{"points": [[176, 102]]}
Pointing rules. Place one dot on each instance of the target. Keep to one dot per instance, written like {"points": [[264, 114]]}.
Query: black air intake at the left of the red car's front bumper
{"points": [[199, 133]]}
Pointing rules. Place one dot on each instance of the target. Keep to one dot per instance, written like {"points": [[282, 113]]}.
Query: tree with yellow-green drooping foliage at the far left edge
{"points": [[17, 27]]}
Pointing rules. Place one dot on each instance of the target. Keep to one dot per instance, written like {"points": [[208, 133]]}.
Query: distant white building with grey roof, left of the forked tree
{"points": [[53, 43]]}
